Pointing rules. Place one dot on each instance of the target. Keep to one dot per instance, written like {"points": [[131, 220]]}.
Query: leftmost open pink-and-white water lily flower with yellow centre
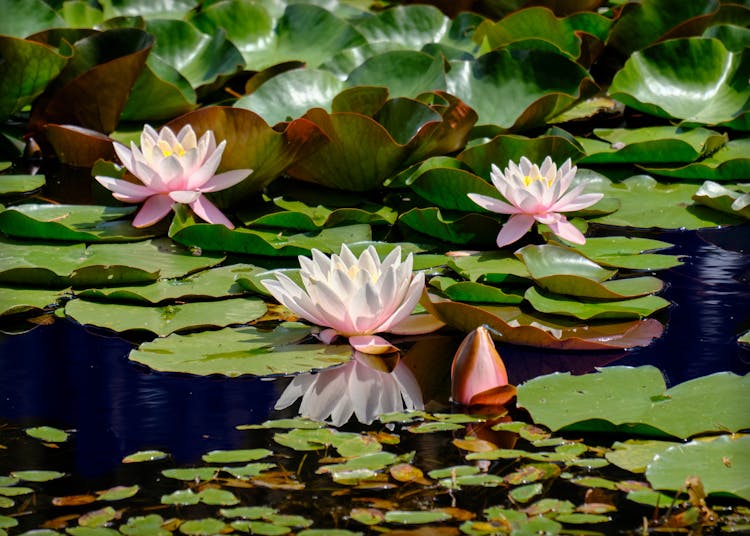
{"points": [[173, 168]]}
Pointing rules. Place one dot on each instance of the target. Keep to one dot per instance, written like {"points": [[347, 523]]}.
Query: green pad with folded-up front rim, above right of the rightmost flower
{"points": [[650, 145]]}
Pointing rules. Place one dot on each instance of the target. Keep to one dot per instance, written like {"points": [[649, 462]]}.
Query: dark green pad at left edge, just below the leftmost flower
{"points": [[76, 223]]}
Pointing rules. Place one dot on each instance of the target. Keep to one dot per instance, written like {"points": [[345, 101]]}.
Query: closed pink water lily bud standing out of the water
{"points": [[478, 374]]}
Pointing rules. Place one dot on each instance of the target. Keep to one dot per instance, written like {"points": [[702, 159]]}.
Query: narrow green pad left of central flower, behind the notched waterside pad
{"points": [[213, 283]]}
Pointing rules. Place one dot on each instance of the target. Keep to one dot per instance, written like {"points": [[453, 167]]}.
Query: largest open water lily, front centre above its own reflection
{"points": [[356, 297]]}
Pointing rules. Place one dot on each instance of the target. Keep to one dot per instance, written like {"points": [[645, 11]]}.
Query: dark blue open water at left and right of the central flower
{"points": [[62, 375]]}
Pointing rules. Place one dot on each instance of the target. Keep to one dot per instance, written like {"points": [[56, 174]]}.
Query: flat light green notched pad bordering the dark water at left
{"points": [[168, 318]]}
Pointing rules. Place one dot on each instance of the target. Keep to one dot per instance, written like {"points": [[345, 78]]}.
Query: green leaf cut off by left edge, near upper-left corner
{"points": [[26, 70]]}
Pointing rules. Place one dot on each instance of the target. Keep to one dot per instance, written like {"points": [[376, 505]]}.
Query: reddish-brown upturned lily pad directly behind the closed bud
{"points": [[512, 325]]}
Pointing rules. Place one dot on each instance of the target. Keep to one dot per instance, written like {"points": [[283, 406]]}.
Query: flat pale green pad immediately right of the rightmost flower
{"points": [[646, 203]]}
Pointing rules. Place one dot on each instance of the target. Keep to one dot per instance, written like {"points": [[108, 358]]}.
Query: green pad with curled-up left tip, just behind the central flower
{"points": [[217, 237]]}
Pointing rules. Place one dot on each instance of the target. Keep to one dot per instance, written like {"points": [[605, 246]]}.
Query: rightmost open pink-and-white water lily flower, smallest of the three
{"points": [[536, 194]]}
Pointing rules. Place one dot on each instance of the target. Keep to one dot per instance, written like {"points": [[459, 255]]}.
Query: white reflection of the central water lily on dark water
{"points": [[367, 386]]}
